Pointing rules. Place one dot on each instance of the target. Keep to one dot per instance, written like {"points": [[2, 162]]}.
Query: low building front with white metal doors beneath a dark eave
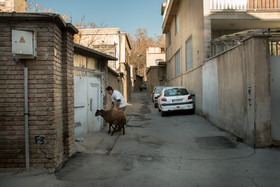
{"points": [[90, 78]]}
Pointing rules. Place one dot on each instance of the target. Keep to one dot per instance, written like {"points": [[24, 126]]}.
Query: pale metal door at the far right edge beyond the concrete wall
{"points": [[275, 97]]}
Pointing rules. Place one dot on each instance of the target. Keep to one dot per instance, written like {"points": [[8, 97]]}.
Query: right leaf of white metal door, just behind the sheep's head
{"points": [[94, 123]]}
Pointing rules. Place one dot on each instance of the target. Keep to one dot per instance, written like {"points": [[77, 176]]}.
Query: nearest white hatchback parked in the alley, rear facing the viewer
{"points": [[173, 99]]}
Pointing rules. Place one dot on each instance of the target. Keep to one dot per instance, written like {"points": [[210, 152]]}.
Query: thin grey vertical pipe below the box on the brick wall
{"points": [[27, 160]]}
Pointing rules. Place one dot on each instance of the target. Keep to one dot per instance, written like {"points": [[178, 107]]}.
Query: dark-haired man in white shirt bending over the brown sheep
{"points": [[117, 99]]}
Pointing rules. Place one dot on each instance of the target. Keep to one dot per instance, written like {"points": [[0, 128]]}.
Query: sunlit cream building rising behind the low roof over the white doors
{"points": [[114, 43]]}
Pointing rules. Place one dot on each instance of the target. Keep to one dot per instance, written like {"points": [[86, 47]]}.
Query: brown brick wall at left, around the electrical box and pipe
{"points": [[51, 98]]}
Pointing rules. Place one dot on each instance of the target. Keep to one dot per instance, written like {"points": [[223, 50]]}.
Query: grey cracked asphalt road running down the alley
{"points": [[177, 150]]}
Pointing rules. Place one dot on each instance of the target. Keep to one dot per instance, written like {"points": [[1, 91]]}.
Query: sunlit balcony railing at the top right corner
{"points": [[217, 5]]}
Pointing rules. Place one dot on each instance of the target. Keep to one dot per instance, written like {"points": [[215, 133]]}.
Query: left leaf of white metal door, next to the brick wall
{"points": [[80, 105]]}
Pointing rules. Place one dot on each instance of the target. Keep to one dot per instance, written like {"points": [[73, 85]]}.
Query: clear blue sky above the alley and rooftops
{"points": [[128, 15]]}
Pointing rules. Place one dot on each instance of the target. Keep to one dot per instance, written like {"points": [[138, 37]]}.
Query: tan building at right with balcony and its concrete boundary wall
{"points": [[198, 32]]}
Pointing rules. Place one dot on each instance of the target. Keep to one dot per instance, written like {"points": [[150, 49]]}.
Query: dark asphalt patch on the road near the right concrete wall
{"points": [[215, 142]]}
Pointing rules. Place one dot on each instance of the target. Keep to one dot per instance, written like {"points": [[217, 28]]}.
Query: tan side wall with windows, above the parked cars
{"points": [[191, 25]]}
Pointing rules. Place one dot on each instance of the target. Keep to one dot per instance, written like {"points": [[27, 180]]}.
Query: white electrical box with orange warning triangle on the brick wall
{"points": [[24, 44]]}
